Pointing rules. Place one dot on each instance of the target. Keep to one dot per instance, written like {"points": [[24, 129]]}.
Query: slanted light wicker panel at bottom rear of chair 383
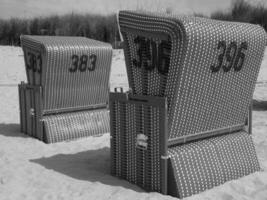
{"points": [[75, 125]]}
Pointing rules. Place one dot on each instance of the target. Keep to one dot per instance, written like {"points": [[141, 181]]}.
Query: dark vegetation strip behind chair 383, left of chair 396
{"points": [[103, 28]]}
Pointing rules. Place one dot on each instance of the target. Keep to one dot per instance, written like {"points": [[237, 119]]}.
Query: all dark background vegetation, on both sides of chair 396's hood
{"points": [[104, 28]]}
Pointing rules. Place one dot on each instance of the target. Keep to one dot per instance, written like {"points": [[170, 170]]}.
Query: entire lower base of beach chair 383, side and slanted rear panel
{"points": [[57, 126]]}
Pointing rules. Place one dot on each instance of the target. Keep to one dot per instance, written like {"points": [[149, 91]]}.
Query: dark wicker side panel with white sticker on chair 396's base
{"points": [[135, 144]]}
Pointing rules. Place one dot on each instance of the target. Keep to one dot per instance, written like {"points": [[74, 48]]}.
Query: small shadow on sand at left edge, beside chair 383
{"points": [[11, 130]]}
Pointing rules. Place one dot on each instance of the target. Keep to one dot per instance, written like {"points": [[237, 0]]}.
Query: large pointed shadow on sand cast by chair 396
{"points": [[92, 165]]}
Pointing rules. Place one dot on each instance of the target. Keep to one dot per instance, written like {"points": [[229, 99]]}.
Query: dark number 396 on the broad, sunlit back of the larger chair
{"points": [[232, 55]]}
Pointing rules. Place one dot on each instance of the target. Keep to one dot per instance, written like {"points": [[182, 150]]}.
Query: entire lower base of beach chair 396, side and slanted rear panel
{"points": [[142, 153]]}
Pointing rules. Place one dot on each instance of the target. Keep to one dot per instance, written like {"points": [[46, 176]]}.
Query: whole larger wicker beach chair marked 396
{"points": [[182, 129]]}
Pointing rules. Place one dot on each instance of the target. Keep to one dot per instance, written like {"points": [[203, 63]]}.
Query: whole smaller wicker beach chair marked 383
{"points": [[66, 95]]}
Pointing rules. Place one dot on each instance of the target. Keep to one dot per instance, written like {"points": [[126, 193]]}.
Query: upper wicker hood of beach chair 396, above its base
{"points": [[199, 98]]}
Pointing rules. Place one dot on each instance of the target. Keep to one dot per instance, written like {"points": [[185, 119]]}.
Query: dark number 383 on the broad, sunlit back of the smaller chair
{"points": [[83, 63]]}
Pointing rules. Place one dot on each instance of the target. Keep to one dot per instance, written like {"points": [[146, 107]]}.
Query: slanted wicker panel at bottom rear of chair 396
{"points": [[201, 165]]}
